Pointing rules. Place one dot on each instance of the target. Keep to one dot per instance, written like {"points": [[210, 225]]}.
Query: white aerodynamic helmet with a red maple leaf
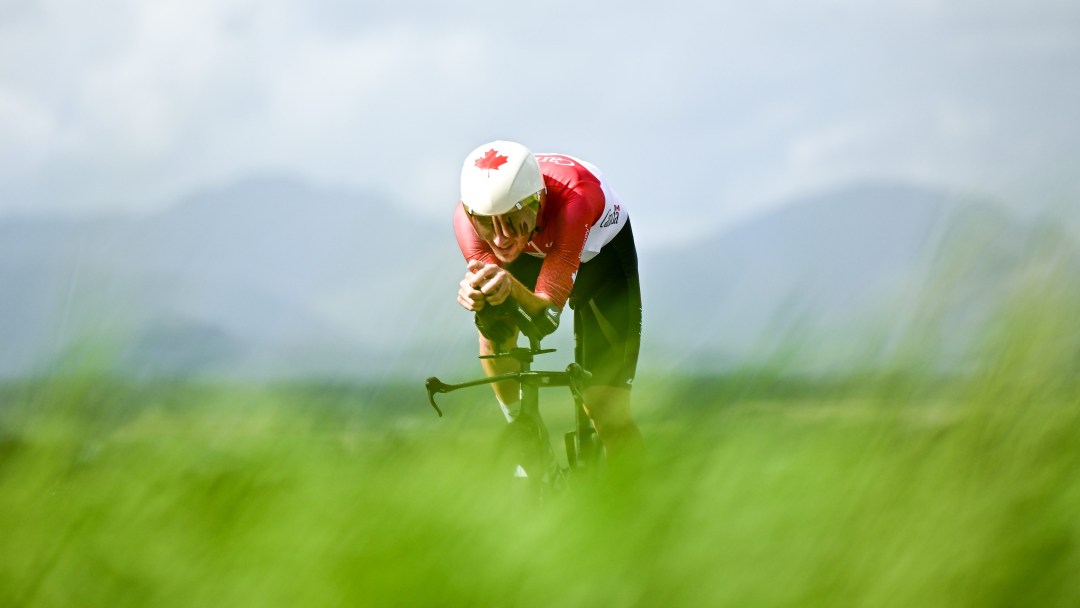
{"points": [[497, 177]]}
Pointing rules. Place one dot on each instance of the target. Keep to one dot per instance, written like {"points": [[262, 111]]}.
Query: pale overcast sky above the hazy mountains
{"points": [[699, 113]]}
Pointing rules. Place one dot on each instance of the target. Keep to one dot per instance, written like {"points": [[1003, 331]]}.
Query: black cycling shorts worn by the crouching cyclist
{"points": [[607, 309]]}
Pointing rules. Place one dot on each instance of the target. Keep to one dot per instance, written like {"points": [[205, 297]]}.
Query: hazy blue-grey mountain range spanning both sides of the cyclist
{"points": [[272, 278]]}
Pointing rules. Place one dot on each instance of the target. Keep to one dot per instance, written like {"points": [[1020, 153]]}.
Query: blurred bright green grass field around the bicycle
{"points": [[903, 489]]}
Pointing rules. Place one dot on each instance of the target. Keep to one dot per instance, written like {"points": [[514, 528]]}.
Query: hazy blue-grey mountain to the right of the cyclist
{"points": [[855, 277]]}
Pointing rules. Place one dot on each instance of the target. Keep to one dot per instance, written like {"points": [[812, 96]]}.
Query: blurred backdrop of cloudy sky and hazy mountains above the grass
{"points": [[264, 190]]}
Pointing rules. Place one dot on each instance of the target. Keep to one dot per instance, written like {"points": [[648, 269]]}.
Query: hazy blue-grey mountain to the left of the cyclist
{"points": [[266, 277]]}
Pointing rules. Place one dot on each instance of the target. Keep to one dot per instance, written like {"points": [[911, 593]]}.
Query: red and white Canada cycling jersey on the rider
{"points": [[583, 214]]}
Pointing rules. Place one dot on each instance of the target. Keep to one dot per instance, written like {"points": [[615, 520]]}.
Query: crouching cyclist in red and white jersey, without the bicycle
{"points": [[547, 231]]}
